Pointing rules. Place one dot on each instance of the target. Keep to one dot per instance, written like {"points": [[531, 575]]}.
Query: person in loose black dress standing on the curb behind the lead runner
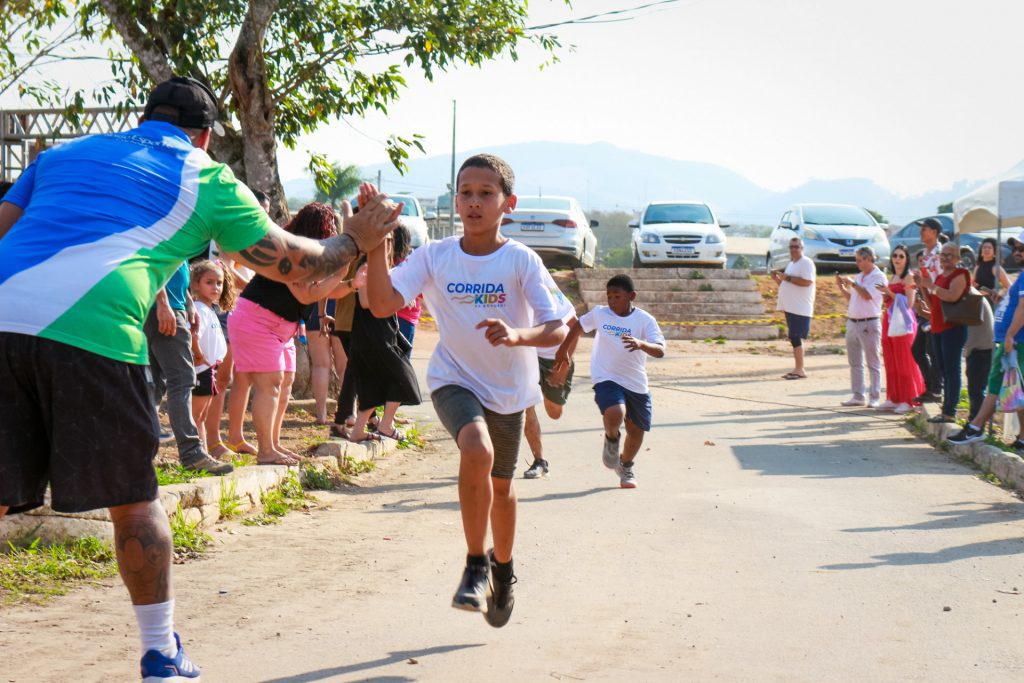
{"points": [[380, 366]]}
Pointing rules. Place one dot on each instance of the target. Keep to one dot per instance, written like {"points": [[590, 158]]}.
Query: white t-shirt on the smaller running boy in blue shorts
{"points": [[610, 360]]}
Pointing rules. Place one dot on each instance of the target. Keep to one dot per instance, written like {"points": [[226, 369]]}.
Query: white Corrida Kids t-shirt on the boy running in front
{"points": [[462, 290]]}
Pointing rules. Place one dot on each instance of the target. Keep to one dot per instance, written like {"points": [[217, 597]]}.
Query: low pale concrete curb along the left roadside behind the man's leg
{"points": [[200, 500]]}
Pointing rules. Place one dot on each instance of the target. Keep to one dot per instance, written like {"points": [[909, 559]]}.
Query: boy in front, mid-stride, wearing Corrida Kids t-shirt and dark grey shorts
{"points": [[486, 293]]}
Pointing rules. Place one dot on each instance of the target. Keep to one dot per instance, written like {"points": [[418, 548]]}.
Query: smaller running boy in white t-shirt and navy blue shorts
{"points": [[619, 374]]}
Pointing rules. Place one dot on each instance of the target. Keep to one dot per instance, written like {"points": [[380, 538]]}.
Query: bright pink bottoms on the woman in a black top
{"points": [[262, 341]]}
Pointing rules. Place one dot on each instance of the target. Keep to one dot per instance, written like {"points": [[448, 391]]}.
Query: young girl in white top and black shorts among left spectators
{"points": [[214, 291]]}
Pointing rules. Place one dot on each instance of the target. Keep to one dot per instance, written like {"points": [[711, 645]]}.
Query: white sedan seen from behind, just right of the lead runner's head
{"points": [[556, 228]]}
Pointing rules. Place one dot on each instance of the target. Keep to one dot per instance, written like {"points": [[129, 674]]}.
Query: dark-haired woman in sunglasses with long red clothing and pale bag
{"points": [[904, 379]]}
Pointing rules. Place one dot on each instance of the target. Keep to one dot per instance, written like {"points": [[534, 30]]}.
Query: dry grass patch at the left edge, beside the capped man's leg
{"points": [[36, 572]]}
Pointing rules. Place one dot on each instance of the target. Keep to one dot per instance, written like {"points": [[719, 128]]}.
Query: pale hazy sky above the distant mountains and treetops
{"points": [[914, 95]]}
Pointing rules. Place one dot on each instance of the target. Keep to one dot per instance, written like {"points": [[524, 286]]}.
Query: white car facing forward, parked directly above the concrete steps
{"points": [[678, 234]]}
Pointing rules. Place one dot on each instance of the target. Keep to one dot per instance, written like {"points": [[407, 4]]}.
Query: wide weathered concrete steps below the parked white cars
{"points": [[688, 303]]}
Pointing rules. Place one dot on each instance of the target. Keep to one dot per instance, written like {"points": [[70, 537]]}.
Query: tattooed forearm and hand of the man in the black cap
{"points": [[290, 259]]}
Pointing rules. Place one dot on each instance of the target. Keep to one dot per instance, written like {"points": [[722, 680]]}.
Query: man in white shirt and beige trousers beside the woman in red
{"points": [[864, 327]]}
